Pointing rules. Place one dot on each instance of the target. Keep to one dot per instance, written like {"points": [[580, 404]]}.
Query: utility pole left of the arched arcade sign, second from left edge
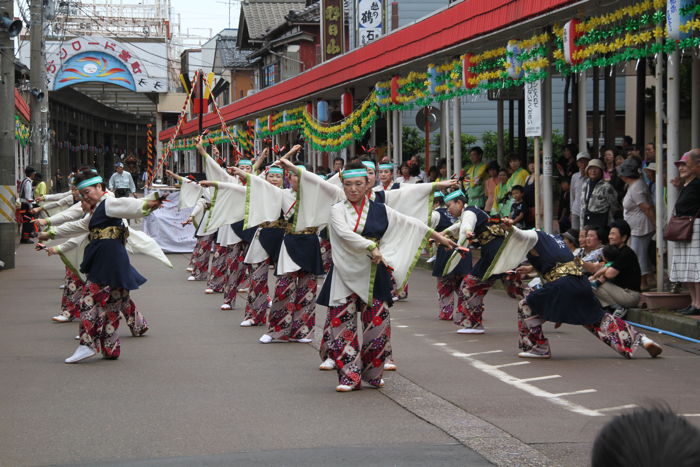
{"points": [[39, 107]]}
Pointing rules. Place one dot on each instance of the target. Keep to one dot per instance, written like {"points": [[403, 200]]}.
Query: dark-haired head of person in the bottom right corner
{"points": [[647, 438]]}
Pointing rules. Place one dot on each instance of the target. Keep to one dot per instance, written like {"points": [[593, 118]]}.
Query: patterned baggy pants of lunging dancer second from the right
{"points": [[474, 289]]}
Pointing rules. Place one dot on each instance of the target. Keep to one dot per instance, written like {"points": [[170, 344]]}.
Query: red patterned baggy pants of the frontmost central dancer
{"points": [[355, 363]]}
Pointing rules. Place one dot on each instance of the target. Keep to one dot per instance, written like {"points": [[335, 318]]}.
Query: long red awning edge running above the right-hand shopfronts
{"points": [[459, 23]]}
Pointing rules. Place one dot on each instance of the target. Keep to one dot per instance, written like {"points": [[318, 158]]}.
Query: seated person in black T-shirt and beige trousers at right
{"points": [[620, 281]]}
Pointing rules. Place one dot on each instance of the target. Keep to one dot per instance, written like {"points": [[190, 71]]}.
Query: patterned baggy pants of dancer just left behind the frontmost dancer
{"points": [[292, 313]]}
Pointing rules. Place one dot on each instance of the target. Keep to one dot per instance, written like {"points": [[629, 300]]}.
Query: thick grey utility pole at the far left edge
{"points": [[8, 228]]}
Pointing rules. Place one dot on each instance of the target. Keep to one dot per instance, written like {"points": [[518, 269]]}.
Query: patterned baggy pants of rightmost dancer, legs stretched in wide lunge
{"points": [[614, 332]]}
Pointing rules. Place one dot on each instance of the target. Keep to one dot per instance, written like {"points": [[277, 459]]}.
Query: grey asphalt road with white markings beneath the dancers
{"points": [[200, 390]]}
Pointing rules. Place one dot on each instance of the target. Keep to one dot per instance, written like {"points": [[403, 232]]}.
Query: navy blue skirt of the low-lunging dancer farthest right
{"points": [[568, 300]]}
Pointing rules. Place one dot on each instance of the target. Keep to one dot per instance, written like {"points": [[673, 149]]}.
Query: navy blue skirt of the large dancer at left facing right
{"points": [[106, 262]]}
